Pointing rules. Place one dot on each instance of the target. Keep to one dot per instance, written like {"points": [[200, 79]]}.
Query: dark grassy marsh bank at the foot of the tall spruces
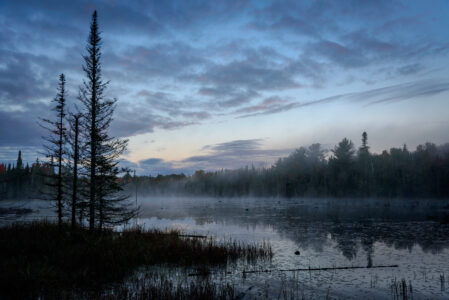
{"points": [[40, 260]]}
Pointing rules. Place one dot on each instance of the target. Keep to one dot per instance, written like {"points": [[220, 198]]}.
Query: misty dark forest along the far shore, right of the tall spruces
{"points": [[314, 172]]}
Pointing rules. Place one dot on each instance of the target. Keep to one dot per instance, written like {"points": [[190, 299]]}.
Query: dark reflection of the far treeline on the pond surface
{"points": [[310, 223]]}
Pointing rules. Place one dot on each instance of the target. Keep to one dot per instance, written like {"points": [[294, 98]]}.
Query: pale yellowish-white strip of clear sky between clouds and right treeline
{"points": [[301, 127]]}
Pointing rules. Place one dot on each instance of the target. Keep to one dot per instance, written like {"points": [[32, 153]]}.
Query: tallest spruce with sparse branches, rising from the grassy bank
{"points": [[103, 151]]}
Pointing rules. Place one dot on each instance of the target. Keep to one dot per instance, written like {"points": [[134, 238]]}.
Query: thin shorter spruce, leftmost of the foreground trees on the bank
{"points": [[55, 144]]}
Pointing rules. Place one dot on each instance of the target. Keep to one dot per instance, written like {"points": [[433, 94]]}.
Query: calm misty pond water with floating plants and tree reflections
{"points": [[412, 234]]}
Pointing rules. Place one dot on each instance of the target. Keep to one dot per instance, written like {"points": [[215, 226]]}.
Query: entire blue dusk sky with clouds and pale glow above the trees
{"points": [[223, 84]]}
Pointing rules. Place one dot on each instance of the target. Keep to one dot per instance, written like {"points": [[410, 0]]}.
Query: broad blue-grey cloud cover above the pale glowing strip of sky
{"points": [[175, 63]]}
